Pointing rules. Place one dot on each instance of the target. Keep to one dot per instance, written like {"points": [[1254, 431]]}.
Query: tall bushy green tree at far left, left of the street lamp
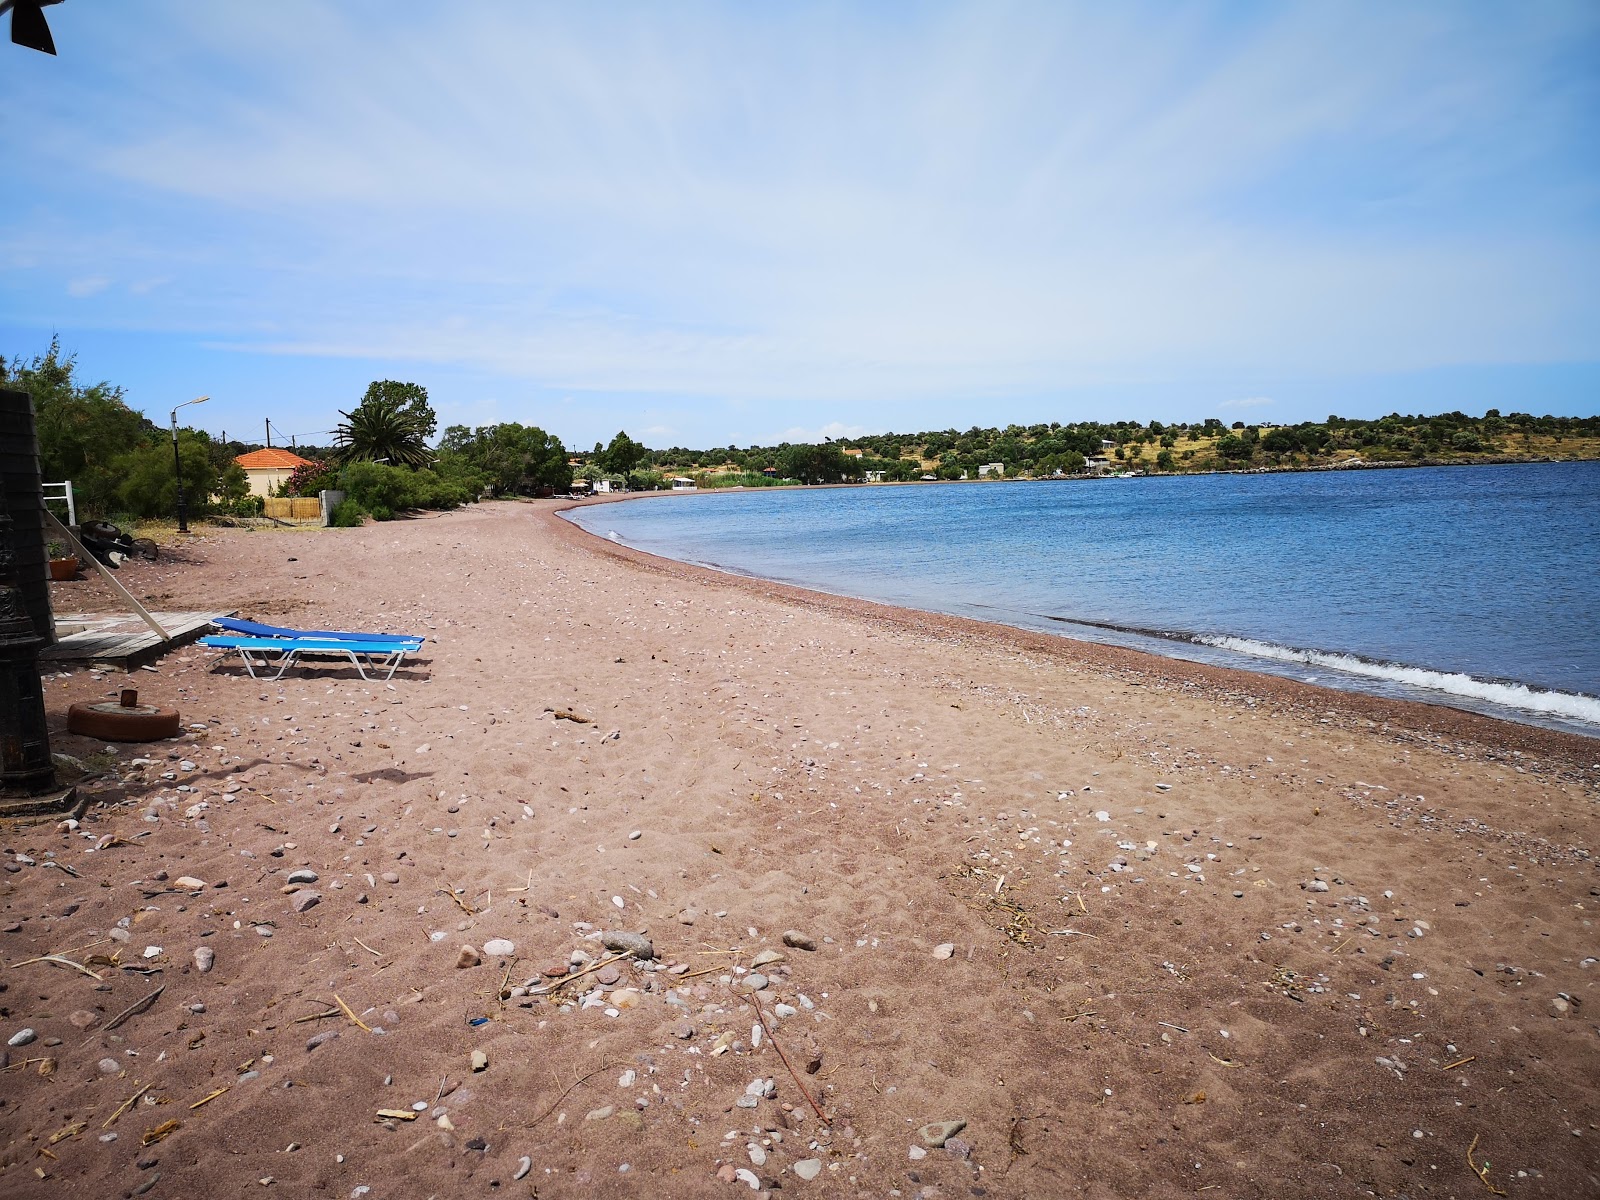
{"points": [[82, 430]]}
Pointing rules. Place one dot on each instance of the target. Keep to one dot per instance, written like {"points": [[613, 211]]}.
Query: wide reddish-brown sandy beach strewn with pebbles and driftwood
{"points": [[1126, 927]]}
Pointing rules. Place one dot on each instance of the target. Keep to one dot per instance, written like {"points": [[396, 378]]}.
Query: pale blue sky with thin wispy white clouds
{"points": [[734, 223]]}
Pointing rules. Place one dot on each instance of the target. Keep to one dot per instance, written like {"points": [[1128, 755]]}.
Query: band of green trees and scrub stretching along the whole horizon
{"points": [[386, 458]]}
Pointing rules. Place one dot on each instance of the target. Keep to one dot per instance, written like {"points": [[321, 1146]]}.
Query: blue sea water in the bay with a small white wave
{"points": [[1466, 586]]}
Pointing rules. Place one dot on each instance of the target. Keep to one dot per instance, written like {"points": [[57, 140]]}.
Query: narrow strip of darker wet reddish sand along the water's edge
{"points": [[1422, 719]]}
